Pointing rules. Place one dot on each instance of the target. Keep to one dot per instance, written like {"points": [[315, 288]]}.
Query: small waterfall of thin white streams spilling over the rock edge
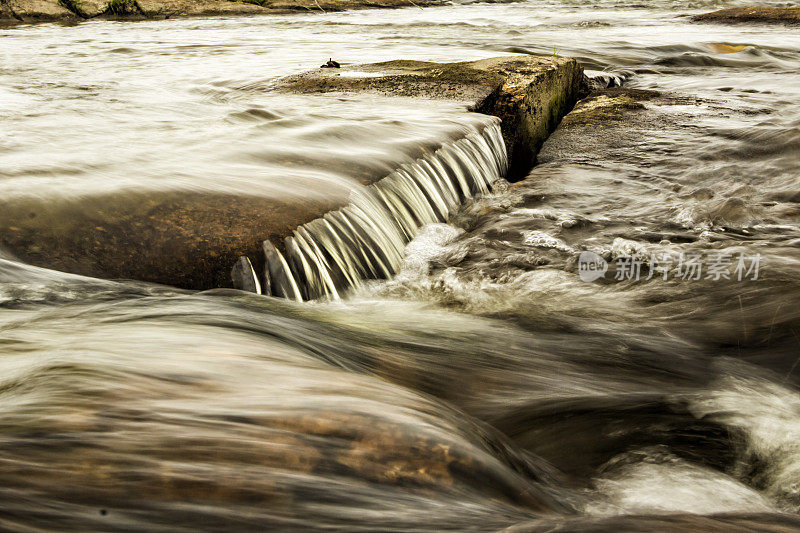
{"points": [[366, 238]]}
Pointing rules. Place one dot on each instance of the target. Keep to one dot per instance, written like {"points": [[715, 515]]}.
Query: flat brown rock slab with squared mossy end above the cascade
{"points": [[528, 93]]}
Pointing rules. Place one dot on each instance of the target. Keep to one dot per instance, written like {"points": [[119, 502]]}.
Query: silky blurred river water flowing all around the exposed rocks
{"points": [[485, 386]]}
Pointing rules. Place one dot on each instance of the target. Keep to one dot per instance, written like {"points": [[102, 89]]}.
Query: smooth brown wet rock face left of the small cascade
{"points": [[181, 238]]}
